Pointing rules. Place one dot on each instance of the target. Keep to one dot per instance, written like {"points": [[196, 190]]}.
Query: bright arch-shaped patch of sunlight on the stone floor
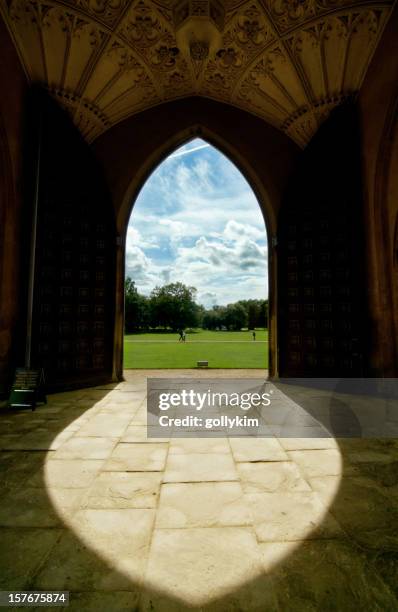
{"points": [[188, 519]]}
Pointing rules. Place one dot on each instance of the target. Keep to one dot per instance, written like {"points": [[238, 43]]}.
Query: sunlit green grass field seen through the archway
{"points": [[221, 349]]}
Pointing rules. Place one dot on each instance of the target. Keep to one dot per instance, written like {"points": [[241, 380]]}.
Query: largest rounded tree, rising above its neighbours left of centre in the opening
{"points": [[174, 306]]}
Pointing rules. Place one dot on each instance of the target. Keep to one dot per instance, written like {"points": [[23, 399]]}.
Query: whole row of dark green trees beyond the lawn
{"points": [[173, 306]]}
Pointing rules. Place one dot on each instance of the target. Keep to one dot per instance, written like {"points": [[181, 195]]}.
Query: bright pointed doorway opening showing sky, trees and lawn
{"points": [[196, 267]]}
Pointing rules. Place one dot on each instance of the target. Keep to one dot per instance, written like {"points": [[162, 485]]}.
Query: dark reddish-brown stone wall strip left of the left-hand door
{"points": [[12, 102]]}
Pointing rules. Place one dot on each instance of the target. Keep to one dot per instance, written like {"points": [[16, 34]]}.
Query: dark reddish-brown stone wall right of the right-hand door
{"points": [[378, 102]]}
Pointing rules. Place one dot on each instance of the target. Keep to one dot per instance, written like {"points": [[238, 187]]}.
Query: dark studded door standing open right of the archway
{"points": [[322, 297]]}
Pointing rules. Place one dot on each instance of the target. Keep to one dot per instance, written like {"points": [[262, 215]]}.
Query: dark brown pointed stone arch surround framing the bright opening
{"points": [[263, 155]]}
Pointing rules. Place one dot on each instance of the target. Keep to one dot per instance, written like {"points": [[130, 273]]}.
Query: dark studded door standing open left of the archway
{"points": [[74, 288]]}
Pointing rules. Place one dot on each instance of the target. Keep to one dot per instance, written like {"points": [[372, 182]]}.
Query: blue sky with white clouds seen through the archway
{"points": [[197, 221]]}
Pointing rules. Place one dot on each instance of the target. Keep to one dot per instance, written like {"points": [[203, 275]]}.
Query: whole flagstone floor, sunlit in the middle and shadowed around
{"points": [[89, 505]]}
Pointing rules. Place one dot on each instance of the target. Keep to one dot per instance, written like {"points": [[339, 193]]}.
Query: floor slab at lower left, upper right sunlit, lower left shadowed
{"points": [[122, 536]]}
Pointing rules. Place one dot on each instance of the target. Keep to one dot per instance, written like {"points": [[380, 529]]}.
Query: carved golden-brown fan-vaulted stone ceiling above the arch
{"points": [[287, 61]]}
